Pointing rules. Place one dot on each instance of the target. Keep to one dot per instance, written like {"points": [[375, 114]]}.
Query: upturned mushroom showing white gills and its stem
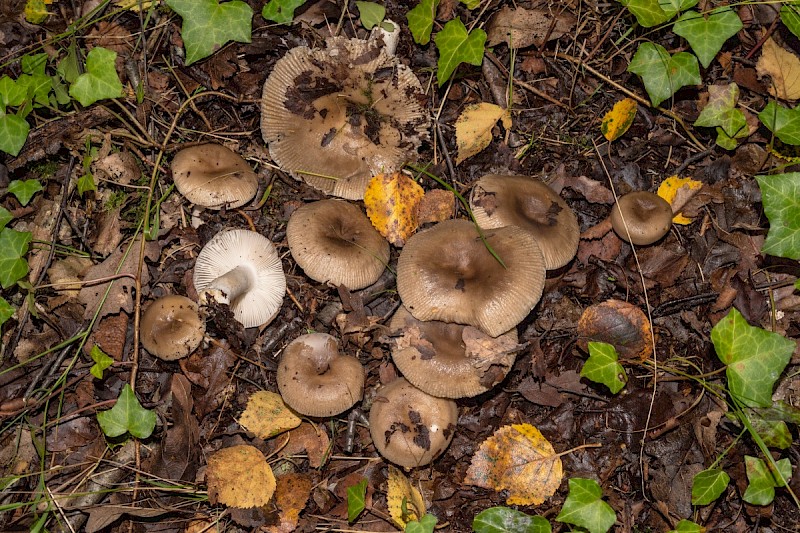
{"points": [[241, 268]]}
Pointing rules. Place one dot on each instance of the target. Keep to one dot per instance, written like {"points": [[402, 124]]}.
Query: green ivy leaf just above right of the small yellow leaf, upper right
{"points": [[663, 74]]}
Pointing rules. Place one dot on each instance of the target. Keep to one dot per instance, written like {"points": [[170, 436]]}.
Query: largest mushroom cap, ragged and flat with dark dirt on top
{"points": [[348, 112]]}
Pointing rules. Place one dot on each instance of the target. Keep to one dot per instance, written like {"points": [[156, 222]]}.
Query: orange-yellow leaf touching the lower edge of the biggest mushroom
{"points": [[391, 203]]}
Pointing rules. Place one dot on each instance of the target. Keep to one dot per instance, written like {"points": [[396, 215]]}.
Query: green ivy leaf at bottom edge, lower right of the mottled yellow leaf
{"points": [[585, 508]]}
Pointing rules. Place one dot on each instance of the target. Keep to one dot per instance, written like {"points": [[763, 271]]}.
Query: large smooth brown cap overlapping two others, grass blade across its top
{"points": [[446, 273]]}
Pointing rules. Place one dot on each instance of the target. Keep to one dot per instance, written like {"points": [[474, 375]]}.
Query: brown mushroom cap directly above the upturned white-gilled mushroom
{"points": [[213, 176]]}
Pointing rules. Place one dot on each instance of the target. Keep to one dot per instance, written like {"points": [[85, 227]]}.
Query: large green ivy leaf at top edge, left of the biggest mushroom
{"points": [[208, 25]]}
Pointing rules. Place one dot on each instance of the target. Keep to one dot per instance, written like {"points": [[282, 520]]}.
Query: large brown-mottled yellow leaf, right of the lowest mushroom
{"points": [[517, 459]]}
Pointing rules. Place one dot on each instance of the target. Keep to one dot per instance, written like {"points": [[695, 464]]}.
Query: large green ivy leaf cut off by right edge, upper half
{"points": [[780, 195]]}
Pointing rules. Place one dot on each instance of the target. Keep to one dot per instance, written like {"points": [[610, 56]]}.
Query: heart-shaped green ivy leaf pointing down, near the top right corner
{"points": [[707, 35]]}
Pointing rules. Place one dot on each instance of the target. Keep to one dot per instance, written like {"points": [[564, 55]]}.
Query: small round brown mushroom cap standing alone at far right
{"points": [[647, 216]]}
